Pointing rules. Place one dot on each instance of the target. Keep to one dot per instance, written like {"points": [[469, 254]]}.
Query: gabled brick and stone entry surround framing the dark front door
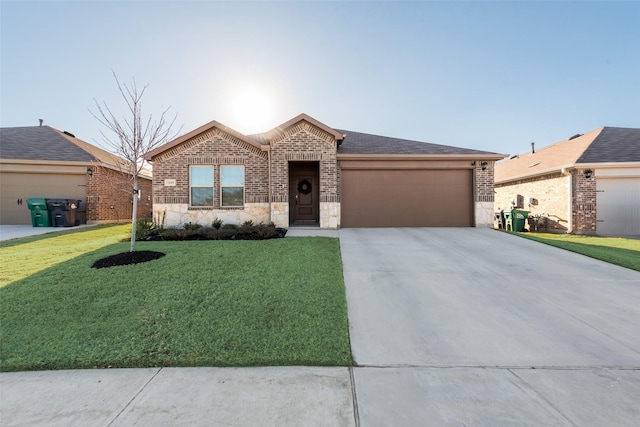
{"points": [[304, 142]]}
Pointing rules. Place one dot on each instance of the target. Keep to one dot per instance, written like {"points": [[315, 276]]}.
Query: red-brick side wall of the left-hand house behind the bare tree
{"points": [[109, 196]]}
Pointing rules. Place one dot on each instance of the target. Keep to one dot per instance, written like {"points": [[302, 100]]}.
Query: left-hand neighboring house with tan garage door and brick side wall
{"points": [[40, 161]]}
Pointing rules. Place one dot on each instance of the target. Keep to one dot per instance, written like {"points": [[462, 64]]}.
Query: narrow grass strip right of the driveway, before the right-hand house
{"points": [[615, 250]]}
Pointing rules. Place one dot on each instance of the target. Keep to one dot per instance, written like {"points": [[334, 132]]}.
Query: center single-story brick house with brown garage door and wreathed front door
{"points": [[305, 172]]}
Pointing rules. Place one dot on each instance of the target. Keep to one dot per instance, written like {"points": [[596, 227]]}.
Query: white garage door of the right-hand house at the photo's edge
{"points": [[618, 206]]}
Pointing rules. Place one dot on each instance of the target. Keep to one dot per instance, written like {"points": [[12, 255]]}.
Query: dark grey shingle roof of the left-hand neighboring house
{"points": [[39, 143]]}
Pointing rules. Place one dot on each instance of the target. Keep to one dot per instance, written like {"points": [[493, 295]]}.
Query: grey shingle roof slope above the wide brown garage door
{"points": [[363, 143]]}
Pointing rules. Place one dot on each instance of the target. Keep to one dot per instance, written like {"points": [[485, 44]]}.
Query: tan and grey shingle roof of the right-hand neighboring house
{"points": [[605, 145]]}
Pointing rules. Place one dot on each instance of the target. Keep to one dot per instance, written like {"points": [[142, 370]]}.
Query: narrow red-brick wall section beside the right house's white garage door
{"points": [[583, 203]]}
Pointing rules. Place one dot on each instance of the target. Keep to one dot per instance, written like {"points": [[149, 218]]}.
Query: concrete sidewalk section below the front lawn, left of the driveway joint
{"points": [[278, 396]]}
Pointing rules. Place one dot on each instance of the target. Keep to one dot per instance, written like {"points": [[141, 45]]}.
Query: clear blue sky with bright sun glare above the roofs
{"points": [[493, 76]]}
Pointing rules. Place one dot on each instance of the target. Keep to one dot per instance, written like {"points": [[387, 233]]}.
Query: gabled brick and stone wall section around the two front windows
{"points": [[215, 148]]}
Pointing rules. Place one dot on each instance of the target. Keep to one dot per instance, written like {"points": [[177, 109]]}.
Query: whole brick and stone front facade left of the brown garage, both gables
{"points": [[301, 142]]}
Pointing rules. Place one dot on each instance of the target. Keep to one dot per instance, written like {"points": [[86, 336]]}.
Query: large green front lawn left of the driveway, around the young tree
{"points": [[206, 303]]}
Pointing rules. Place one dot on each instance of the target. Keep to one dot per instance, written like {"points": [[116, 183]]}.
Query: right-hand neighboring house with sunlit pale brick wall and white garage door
{"points": [[587, 184]]}
